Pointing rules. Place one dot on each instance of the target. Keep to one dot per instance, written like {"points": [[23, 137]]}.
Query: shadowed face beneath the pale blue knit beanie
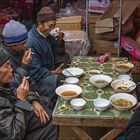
{"points": [[19, 48]]}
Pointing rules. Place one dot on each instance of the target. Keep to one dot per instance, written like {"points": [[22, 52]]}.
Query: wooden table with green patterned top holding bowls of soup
{"points": [[63, 114]]}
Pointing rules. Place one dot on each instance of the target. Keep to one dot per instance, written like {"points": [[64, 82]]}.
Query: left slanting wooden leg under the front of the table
{"points": [[82, 135]]}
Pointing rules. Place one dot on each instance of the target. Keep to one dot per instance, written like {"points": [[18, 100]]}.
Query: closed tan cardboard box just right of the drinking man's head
{"points": [[69, 23]]}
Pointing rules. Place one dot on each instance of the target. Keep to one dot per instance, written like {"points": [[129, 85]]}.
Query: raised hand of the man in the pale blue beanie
{"points": [[27, 57]]}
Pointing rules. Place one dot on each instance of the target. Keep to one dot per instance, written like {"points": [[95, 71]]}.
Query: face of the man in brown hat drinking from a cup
{"points": [[46, 27]]}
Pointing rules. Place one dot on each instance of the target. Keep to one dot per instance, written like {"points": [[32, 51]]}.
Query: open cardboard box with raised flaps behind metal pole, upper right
{"points": [[106, 22]]}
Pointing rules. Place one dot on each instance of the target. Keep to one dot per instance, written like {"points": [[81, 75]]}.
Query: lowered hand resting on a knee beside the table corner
{"points": [[40, 111]]}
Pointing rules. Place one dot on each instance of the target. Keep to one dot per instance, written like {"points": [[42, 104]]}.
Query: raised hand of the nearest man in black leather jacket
{"points": [[23, 90]]}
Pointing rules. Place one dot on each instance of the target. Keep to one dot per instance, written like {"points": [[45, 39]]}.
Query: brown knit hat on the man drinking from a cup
{"points": [[46, 14]]}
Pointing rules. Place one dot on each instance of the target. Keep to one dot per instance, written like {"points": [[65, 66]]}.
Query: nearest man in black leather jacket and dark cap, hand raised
{"points": [[17, 120]]}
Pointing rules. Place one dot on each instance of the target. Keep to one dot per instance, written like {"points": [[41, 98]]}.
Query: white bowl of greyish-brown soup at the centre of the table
{"points": [[100, 80]]}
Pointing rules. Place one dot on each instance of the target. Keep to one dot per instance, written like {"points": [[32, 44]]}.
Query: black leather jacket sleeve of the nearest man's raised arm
{"points": [[13, 119]]}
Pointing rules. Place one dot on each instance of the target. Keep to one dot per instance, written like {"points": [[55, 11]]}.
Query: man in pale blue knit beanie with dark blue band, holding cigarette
{"points": [[15, 36]]}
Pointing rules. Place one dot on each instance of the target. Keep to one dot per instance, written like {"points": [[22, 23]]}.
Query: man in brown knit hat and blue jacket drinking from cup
{"points": [[46, 49]]}
